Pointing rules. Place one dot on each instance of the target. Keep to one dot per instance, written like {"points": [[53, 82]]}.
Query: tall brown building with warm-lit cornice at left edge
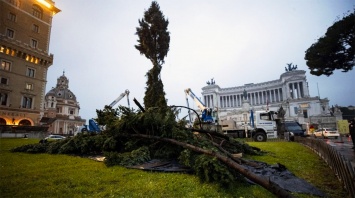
{"points": [[25, 29]]}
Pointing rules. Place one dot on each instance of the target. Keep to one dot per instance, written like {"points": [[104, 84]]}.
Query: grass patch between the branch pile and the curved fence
{"points": [[302, 162]]}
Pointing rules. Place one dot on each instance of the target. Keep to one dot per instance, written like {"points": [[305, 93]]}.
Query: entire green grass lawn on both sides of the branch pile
{"points": [[45, 175]]}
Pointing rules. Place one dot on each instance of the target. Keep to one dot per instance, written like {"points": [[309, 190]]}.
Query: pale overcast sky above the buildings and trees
{"points": [[233, 41]]}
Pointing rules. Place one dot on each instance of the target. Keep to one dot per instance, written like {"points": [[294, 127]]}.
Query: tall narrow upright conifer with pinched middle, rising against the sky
{"points": [[154, 42]]}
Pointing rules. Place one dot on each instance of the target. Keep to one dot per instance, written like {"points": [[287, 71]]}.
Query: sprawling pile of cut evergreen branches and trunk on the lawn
{"points": [[134, 137]]}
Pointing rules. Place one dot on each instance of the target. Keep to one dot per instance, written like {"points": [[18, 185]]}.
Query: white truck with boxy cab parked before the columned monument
{"points": [[264, 127]]}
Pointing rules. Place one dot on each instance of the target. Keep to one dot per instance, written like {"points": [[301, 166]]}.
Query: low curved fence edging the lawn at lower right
{"points": [[337, 162]]}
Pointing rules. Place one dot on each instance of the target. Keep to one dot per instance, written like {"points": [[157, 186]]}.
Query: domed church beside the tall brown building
{"points": [[61, 109]]}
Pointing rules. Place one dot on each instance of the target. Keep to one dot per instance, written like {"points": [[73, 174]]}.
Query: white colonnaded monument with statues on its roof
{"points": [[289, 91]]}
